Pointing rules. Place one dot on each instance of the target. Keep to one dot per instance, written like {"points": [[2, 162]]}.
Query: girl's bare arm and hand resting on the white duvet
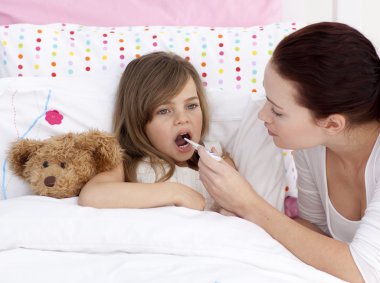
{"points": [[108, 190]]}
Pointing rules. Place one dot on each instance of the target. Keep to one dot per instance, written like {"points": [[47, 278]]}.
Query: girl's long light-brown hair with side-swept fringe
{"points": [[148, 82]]}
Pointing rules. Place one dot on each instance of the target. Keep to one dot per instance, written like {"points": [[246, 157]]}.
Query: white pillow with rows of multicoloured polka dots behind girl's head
{"points": [[230, 59]]}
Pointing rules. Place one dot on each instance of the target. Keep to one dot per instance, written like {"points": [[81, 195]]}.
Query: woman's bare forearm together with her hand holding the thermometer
{"points": [[235, 194]]}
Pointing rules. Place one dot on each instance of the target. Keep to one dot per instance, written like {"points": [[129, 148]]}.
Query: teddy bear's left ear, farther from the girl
{"points": [[20, 152]]}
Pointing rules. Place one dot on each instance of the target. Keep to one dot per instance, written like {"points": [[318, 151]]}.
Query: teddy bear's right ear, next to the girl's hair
{"points": [[105, 148]]}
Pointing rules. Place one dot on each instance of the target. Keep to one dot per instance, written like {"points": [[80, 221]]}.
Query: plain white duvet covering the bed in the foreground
{"points": [[48, 240]]}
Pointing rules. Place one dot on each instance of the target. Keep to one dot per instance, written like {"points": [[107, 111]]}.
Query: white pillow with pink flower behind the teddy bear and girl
{"points": [[28, 104]]}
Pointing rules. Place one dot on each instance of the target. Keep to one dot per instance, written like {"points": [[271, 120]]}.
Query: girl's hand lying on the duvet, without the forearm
{"points": [[187, 197]]}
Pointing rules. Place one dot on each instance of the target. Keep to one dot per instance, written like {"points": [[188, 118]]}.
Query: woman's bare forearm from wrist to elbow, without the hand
{"points": [[311, 246]]}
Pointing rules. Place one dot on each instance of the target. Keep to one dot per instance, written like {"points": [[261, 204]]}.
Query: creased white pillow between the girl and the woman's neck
{"points": [[258, 159]]}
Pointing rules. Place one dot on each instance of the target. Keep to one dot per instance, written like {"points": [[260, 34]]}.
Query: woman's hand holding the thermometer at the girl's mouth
{"points": [[225, 184]]}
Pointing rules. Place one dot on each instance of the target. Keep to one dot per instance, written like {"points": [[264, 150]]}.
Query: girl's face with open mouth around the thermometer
{"points": [[178, 118]]}
